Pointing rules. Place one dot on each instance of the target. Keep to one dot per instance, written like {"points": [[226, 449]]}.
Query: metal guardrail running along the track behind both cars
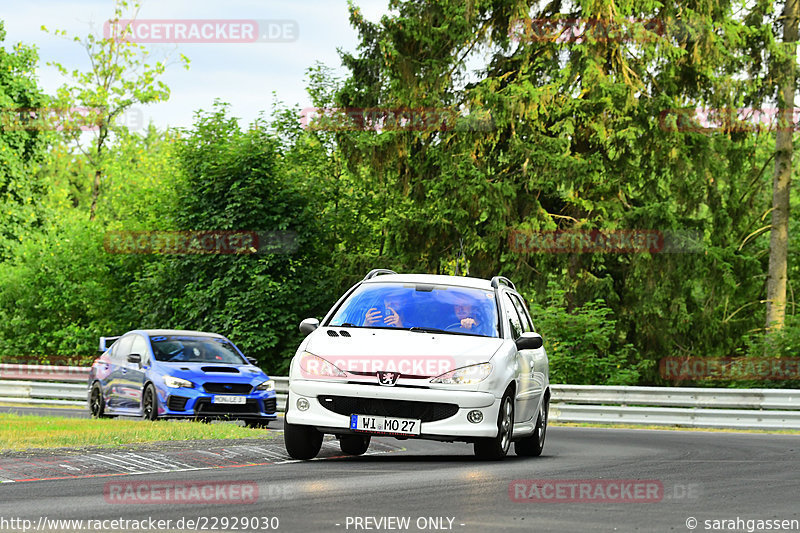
{"points": [[691, 407]]}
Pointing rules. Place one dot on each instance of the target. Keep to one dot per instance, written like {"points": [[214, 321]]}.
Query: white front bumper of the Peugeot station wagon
{"points": [[452, 427]]}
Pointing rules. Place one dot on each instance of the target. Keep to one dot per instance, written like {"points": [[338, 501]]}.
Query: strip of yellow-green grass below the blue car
{"points": [[26, 432]]}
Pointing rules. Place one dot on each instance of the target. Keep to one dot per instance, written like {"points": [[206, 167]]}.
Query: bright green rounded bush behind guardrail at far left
{"points": [[61, 292]]}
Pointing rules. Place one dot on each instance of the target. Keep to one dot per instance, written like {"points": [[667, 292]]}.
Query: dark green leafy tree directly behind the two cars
{"points": [[234, 180]]}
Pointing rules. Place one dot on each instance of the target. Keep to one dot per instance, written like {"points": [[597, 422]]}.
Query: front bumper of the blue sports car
{"points": [[188, 403]]}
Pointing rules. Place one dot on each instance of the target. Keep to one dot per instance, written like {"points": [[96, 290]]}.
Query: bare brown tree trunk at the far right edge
{"points": [[779, 235]]}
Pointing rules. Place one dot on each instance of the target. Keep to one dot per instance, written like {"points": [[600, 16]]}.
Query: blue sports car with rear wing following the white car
{"points": [[179, 374]]}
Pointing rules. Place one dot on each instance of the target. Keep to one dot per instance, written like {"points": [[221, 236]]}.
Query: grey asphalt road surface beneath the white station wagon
{"points": [[441, 487]]}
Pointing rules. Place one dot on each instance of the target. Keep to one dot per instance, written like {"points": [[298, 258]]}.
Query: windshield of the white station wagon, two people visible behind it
{"points": [[420, 306]]}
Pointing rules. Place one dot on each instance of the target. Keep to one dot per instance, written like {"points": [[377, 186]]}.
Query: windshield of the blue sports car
{"points": [[190, 349]]}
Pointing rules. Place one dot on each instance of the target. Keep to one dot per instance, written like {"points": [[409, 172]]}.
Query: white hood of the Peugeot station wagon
{"points": [[410, 352]]}
